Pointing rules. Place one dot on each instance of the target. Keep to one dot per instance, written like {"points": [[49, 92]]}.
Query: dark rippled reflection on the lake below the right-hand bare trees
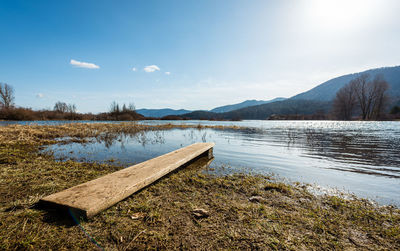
{"points": [[358, 152]]}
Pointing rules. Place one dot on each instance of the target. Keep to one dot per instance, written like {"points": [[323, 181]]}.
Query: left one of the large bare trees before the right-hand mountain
{"points": [[345, 102]]}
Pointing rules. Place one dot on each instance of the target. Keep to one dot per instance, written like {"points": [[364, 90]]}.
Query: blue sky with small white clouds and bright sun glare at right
{"points": [[185, 54]]}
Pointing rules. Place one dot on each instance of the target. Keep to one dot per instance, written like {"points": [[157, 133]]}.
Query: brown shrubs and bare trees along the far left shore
{"points": [[61, 110]]}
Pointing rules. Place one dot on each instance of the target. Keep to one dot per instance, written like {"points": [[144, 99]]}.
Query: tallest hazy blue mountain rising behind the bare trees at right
{"points": [[327, 90]]}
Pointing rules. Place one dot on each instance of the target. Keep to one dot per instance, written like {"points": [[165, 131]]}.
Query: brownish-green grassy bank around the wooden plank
{"points": [[237, 211]]}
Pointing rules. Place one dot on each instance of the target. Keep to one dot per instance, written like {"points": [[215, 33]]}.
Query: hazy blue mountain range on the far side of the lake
{"points": [[318, 100]]}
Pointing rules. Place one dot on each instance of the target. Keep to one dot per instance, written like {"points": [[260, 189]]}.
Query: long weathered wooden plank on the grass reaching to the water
{"points": [[90, 198]]}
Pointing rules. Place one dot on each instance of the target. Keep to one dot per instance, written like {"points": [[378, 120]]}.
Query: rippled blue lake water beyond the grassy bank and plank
{"points": [[357, 157]]}
